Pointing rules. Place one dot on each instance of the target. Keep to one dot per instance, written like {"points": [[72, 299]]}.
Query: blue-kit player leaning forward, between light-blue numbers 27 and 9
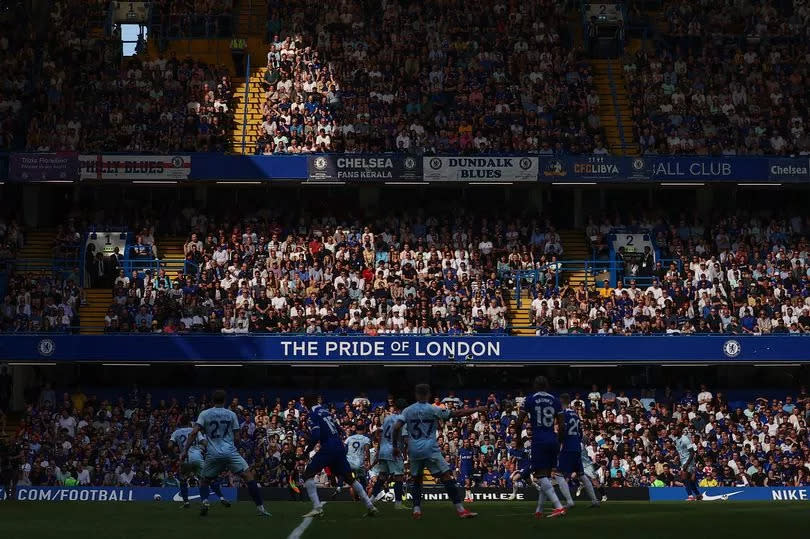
{"points": [[324, 430]]}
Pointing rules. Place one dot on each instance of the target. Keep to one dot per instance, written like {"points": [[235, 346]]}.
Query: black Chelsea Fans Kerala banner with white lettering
{"points": [[364, 168]]}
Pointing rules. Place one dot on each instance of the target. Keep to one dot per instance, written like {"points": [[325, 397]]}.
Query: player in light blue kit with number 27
{"points": [[221, 427]]}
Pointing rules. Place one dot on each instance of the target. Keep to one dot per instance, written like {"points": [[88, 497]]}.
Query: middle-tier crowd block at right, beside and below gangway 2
{"points": [[740, 274]]}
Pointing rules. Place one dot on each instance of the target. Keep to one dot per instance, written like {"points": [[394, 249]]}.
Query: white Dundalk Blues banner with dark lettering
{"points": [[480, 169]]}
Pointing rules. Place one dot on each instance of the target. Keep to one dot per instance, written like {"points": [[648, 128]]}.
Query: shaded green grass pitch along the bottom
{"points": [[344, 520]]}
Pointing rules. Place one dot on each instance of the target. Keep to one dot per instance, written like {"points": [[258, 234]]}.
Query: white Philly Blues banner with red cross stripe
{"points": [[135, 167]]}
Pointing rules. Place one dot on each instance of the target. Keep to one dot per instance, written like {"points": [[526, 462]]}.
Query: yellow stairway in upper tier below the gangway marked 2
{"points": [[614, 109]]}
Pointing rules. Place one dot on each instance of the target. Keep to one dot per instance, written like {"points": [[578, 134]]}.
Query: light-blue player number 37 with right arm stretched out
{"points": [[421, 419]]}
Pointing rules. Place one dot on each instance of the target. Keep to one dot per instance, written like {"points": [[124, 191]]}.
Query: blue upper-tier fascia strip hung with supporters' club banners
{"points": [[402, 167]]}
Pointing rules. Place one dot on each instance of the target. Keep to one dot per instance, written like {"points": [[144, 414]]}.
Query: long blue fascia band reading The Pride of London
{"points": [[403, 349]]}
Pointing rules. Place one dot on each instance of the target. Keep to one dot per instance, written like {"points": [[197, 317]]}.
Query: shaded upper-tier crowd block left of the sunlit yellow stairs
{"points": [[88, 99]]}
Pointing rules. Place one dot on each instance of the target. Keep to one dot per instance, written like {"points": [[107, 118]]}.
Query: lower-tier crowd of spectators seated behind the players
{"points": [[630, 437]]}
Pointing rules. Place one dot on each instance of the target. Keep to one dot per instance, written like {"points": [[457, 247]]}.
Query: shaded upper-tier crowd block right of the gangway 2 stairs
{"points": [[726, 78]]}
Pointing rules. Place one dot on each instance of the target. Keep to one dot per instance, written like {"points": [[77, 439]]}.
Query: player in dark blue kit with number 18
{"points": [[544, 412]]}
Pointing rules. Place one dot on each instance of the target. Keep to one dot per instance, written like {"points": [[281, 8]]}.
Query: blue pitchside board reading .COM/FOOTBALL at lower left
{"points": [[110, 494]]}
